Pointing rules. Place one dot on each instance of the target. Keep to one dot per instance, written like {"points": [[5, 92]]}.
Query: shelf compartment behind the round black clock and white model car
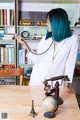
{"points": [[33, 31]]}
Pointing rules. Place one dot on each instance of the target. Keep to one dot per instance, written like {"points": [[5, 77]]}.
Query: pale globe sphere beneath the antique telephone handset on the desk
{"points": [[49, 104]]}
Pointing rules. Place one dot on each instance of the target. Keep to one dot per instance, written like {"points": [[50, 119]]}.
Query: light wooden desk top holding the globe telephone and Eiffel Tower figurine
{"points": [[16, 102]]}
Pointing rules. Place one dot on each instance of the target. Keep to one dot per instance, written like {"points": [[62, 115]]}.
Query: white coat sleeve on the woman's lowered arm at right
{"points": [[71, 60]]}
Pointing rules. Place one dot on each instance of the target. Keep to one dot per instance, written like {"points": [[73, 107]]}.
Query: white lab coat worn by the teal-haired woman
{"points": [[54, 63]]}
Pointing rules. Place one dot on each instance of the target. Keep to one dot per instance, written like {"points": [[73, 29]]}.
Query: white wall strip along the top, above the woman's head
{"points": [[43, 6]]}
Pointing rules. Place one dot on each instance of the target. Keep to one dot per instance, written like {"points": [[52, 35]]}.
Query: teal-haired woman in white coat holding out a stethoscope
{"points": [[60, 58]]}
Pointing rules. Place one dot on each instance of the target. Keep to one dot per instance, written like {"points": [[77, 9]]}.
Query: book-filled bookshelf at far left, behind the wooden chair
{"points": [[8, 45]]}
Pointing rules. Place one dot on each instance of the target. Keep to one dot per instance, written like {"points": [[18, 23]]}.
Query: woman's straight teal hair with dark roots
{"points": [[60, 24]]}
